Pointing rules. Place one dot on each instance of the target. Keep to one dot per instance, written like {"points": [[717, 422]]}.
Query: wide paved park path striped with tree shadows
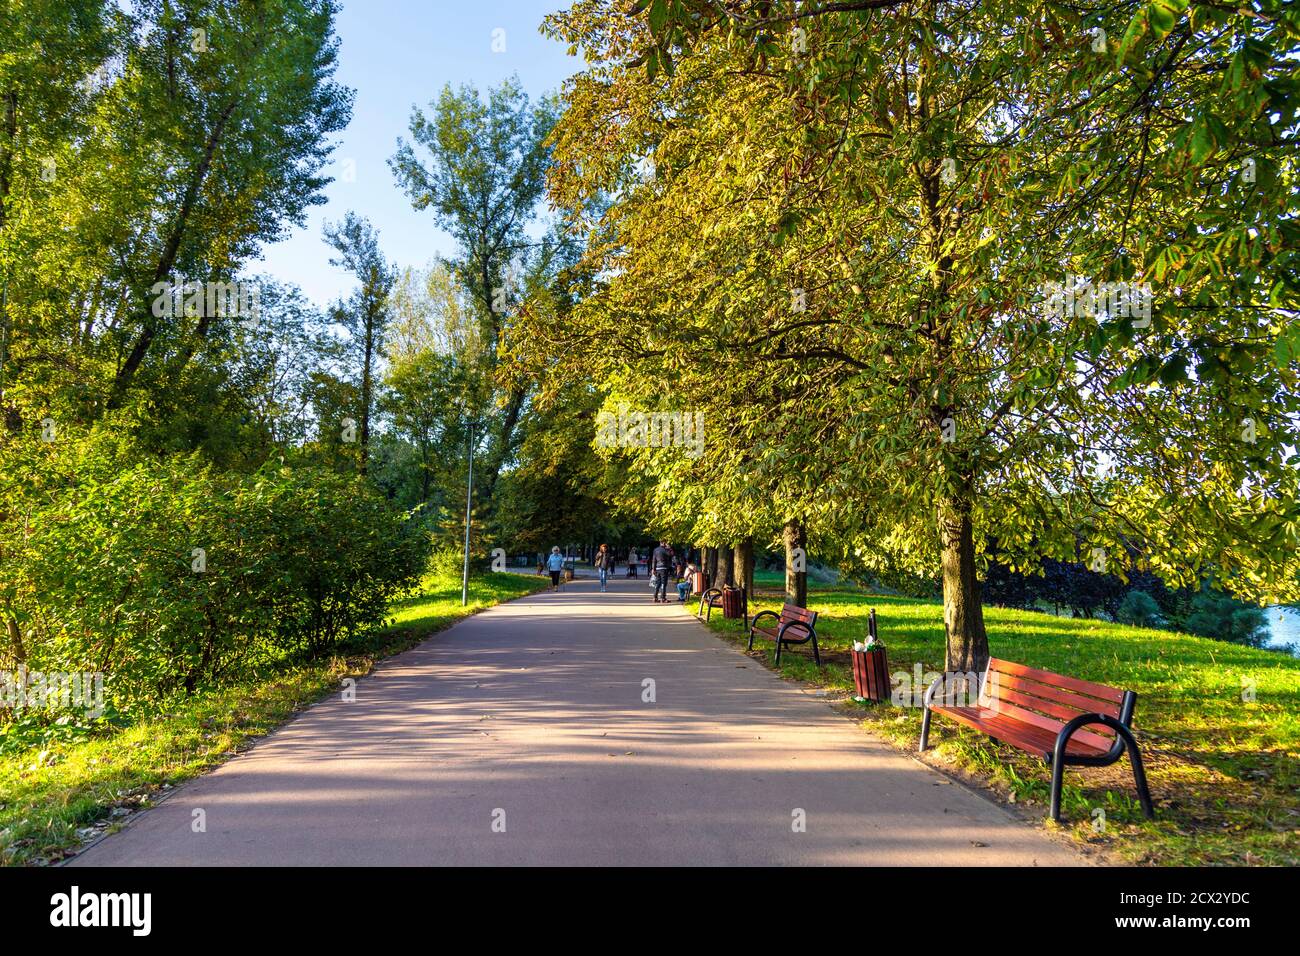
{"points": [[530, 717]]}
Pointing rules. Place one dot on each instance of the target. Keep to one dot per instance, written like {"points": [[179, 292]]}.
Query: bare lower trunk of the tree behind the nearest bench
{"points": [[964, 615]]}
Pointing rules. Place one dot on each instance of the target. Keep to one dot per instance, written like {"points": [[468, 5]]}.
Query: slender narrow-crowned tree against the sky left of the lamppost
{"points": [[366, 314]]}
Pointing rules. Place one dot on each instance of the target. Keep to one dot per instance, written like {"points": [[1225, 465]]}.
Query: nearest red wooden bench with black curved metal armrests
{"points": [[1061, 720]]}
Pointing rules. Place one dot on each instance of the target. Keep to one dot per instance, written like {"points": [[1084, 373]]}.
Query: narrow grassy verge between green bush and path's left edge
{"points": [[55, 799]]}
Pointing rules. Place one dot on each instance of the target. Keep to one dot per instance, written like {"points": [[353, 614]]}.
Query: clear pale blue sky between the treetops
{"points": [[397, 54]]}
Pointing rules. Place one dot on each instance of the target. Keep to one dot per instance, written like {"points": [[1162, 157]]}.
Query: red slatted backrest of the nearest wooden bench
{"points": [[1052, 700]]}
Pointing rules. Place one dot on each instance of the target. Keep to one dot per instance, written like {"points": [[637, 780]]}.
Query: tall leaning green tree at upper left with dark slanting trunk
{"points": [[244, 97]]}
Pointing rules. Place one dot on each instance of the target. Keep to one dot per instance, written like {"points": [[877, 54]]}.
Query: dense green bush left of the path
{"points": [[168, 577]]}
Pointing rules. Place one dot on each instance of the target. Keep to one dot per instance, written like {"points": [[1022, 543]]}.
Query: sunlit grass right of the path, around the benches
{"points": [[1219, 725]]}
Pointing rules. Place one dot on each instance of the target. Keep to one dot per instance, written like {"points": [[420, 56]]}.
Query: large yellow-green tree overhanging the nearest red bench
{"points": [[859, 227]]}
